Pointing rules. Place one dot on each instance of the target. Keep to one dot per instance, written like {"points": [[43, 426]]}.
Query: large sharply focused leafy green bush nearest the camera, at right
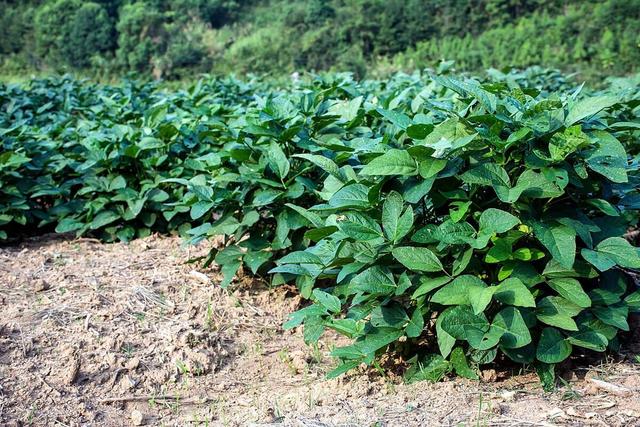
{"points": [[488, 227]]}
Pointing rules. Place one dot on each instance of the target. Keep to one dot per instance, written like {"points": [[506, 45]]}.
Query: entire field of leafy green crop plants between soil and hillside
{"points": [[455, 221]]}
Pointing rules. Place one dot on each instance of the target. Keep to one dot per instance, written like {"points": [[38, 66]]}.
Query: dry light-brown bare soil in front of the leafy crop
{"points": [[129, 334]]}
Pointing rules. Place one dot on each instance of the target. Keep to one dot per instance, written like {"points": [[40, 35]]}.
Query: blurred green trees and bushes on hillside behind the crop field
{"points": [[179, 38]]}
